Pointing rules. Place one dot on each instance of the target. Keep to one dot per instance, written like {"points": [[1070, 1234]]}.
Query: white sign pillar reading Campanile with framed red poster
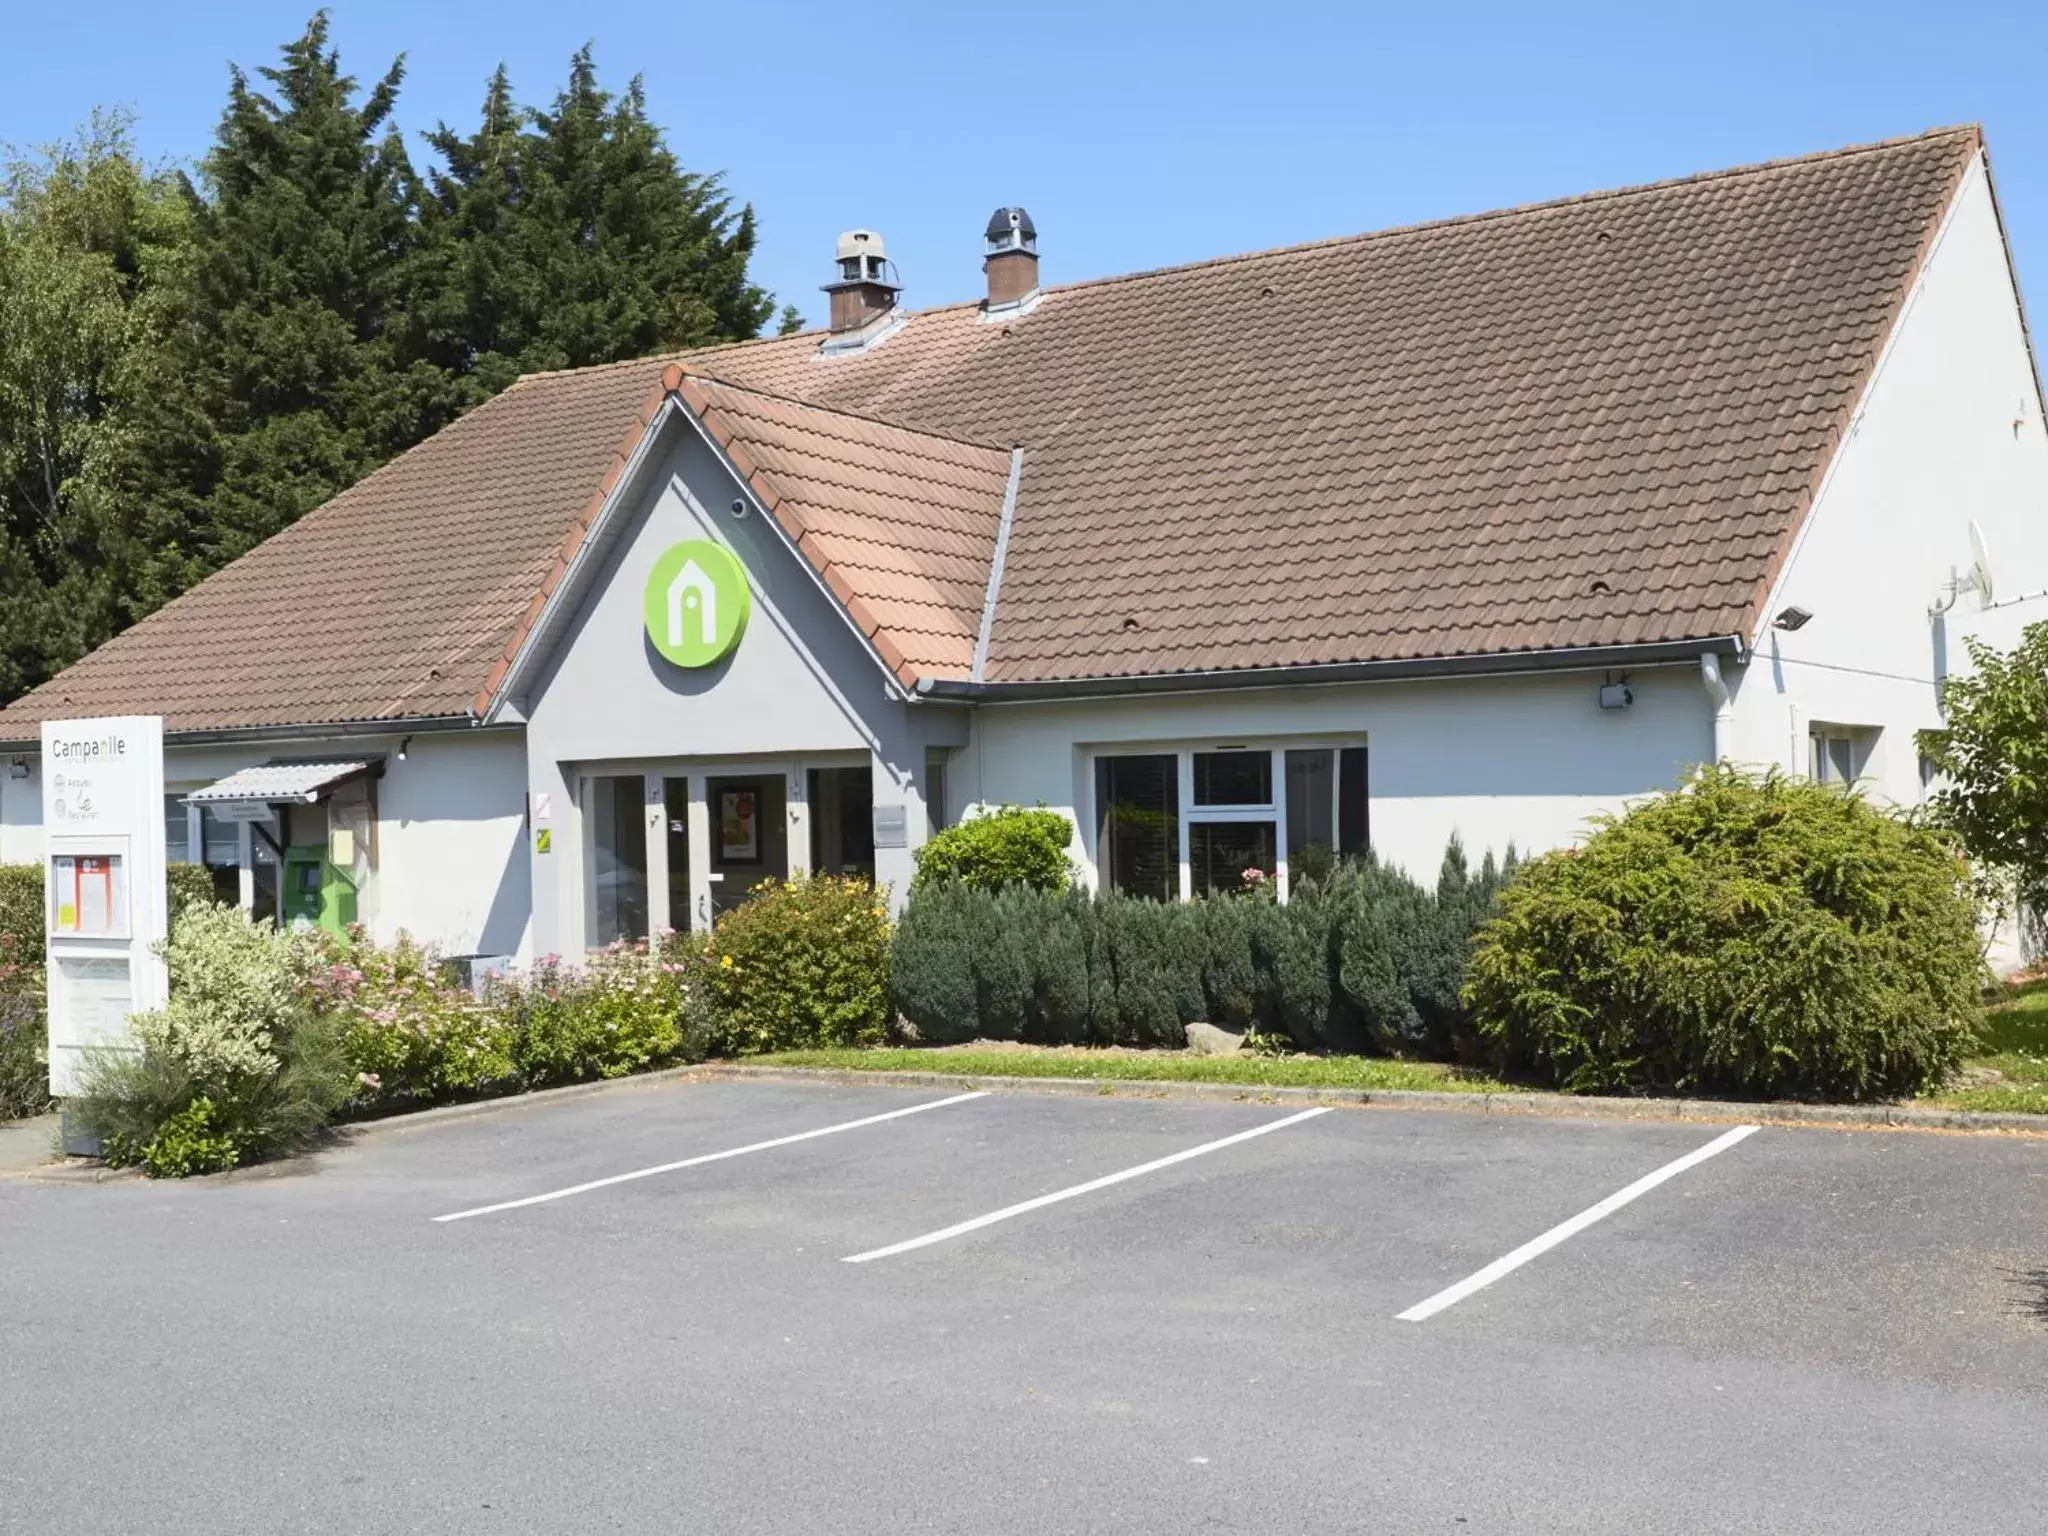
{"points": [[103, 884]]}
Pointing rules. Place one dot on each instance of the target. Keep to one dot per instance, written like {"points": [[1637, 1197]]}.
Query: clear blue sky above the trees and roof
{"points": [[1138, 134]]}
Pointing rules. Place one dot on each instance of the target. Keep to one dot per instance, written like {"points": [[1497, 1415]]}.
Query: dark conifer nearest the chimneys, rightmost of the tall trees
{"points": [[572, 237]]}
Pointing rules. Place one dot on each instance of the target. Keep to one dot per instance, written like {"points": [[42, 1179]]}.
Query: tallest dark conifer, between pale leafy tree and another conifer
{"points": [[286, 380]]}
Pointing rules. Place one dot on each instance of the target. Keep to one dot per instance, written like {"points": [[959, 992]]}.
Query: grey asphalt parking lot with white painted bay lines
{"points": [[1064, 1316]]}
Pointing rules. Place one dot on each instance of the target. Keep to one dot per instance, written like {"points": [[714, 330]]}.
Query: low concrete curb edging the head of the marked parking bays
{"points": [[1871, 1117]]}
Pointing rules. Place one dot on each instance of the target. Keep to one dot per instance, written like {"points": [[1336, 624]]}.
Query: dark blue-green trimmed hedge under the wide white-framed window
{"points": [[1365, 959]]}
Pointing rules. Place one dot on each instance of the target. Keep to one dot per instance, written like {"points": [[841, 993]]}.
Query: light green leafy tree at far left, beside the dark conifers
{"points": [[91, 247]]}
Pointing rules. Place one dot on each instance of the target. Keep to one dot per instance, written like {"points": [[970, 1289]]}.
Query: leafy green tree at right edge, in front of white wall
{"points": [[1994, 757]]}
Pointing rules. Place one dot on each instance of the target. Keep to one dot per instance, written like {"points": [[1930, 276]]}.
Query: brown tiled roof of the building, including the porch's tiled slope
{"points": [[1586, 423]]}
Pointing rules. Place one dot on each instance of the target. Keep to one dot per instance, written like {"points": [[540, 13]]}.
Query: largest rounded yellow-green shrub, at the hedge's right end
{"points": [[1744, 935]]}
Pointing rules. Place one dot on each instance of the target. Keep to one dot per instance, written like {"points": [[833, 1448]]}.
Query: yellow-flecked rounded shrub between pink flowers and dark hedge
{"points": [[802, 964]]}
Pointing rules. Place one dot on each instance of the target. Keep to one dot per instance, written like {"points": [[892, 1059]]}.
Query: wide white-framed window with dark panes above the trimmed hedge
{"points": [[1224, 818]]}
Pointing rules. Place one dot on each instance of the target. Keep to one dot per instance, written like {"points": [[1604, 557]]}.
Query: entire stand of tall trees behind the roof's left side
{"points": [[194, 361]]}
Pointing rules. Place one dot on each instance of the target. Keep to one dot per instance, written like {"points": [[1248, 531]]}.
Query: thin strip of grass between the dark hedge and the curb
{"points": [[1156, 1068]]}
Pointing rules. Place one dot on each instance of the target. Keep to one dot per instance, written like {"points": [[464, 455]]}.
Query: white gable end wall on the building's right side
{"points": [[1951, 429]]}
